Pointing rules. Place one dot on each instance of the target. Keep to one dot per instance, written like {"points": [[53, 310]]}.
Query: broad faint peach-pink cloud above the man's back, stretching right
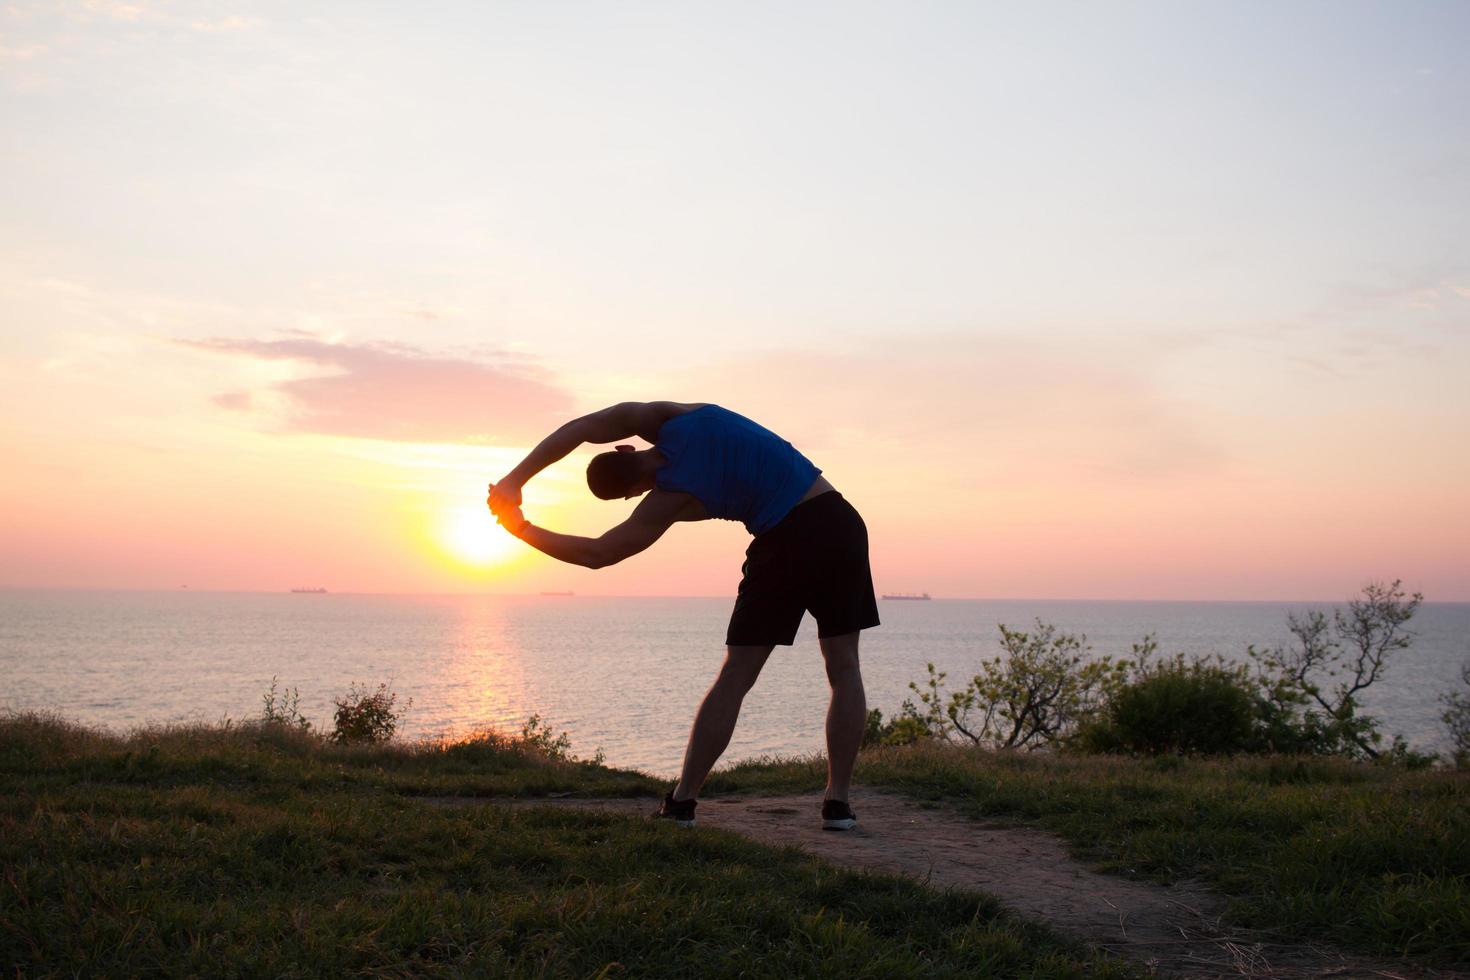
{"points": [[974, 405]]}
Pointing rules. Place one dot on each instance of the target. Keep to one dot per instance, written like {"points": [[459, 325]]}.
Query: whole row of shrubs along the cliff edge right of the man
{"points": [[1302, 699]]}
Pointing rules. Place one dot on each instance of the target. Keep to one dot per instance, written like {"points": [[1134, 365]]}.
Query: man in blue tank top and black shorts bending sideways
{"points": [[809, 553]]}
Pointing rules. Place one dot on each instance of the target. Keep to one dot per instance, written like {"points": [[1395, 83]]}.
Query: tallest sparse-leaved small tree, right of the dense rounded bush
{"points": [[1303, 709]]}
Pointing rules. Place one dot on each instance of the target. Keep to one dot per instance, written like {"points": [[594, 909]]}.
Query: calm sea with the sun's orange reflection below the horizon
{"points": [[618, 675]]}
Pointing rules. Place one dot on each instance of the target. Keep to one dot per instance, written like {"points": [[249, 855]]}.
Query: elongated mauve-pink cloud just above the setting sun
{"points": [[398, 393]]}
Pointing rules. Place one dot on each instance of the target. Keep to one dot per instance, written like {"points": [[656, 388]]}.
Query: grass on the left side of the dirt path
{"points": [[264, 851]]}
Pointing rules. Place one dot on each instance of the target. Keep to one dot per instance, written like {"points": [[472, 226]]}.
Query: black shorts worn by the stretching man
{"points": [[815, 559]]}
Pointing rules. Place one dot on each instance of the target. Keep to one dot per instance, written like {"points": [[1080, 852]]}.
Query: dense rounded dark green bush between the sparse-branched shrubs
{"points": [[1178, 707]]}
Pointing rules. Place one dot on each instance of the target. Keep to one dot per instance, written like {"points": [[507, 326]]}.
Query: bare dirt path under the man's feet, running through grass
{"points": [[1175, 931]]}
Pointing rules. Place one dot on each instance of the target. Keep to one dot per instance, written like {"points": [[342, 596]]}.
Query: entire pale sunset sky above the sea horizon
{"points": [[1103, 312]]}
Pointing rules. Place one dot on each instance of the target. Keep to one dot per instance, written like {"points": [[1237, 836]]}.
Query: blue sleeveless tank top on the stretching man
{"points": [[736, 468]]}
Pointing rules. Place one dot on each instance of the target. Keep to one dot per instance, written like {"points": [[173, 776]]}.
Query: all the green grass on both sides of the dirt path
{"points": [[265, 851]]}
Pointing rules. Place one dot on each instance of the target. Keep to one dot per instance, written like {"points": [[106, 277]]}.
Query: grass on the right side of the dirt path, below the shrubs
{"points": [[1369, 857]]}
